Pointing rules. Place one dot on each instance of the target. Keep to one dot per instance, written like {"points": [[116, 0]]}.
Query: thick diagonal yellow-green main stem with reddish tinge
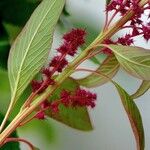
{"points": [[65, 74]]}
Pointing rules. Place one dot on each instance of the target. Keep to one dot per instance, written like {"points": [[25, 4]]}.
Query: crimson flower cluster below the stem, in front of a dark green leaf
{"points": [[80, 98]]}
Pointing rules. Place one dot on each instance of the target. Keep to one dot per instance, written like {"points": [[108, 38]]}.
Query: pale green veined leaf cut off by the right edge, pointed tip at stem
{"points": [[135, 60]]}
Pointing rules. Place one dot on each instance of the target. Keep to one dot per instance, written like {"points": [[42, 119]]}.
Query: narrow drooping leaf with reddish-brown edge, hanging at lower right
{"points": [[134, 116]]}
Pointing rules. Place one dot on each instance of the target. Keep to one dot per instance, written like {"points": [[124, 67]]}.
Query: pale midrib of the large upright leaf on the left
{"points": [[27, 50]]}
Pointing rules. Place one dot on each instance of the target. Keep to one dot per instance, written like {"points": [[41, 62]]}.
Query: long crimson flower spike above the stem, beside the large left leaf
{"points": [[72, 41]]}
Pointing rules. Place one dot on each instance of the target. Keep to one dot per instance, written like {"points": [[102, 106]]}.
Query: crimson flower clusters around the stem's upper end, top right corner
{"points": [[137, 26]]}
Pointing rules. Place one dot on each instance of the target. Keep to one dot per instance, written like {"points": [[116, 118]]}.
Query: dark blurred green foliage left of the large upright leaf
{"points": [[13, 14]]}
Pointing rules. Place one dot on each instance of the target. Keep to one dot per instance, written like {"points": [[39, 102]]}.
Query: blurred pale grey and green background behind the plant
{"points": [[112, 130]]}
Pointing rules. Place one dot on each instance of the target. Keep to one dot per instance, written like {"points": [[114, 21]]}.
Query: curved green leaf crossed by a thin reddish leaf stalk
{"points": [[109, 67]]}
